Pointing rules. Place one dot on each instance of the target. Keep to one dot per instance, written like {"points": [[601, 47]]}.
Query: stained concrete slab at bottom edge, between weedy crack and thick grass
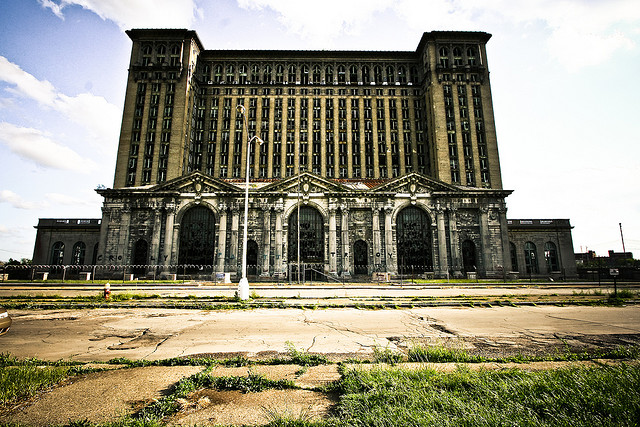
{"points": [[211, 407]]}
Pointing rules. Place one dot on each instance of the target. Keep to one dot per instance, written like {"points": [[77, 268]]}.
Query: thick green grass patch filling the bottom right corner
{"points": [[568, 397]]}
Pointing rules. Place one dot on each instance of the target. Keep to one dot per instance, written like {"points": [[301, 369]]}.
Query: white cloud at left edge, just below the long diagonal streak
{"points": [[34, 145]]}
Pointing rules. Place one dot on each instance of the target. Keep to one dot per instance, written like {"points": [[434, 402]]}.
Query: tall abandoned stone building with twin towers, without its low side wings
{"points": [[373, 161]]}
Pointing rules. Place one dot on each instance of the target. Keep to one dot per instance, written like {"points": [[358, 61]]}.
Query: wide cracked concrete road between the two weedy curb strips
{"points": [[102, 334]]}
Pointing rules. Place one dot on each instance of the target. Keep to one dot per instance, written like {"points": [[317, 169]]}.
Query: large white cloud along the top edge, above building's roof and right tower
{"points": [[581, 33]]}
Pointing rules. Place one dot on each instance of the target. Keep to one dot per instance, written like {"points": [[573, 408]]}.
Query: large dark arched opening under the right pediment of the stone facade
{"points": [[413, 232]]}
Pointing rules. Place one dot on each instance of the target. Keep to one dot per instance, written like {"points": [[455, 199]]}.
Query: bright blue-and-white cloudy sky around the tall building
{"points": [[564, 80]]}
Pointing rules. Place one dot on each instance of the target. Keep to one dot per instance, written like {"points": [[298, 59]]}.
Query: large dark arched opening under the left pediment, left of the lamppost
{"points": [[197, 237]]}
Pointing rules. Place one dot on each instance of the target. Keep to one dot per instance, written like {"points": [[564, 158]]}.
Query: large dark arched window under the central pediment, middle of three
{"points": [[311, 236]]}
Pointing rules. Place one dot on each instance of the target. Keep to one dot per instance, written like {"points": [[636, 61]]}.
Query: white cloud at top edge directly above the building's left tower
{"points": [[129, 14]]}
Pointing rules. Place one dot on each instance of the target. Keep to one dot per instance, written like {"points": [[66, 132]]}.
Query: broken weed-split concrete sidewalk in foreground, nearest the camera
{"points": [[108, 396]]}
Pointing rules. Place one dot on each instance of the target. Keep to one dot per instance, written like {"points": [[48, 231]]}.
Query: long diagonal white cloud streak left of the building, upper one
{"points": [[94, 113]]}
